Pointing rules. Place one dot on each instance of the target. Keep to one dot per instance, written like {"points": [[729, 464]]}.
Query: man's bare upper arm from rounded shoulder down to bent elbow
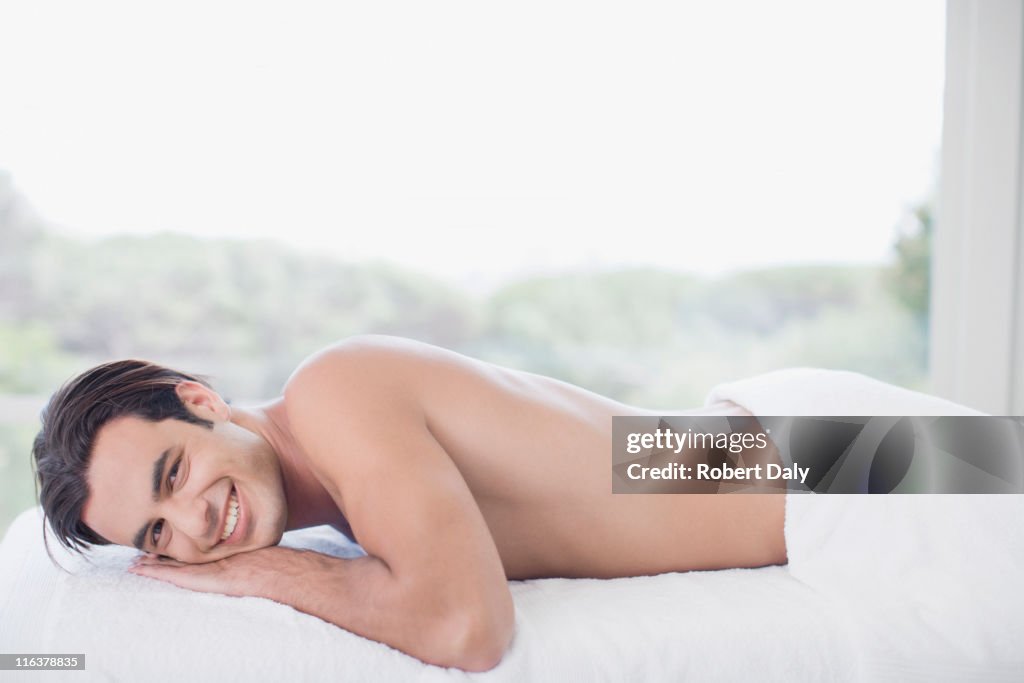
{"points": [[434, 584]]}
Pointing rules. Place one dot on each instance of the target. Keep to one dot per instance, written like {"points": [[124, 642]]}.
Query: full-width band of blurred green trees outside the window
{"points": [[247, 313]]}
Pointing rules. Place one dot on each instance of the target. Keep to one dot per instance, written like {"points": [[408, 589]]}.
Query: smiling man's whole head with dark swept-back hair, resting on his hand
{"points": [[140, 455]]}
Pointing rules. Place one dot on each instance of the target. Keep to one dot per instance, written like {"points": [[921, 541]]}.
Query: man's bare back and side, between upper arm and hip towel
{"points": [[536, 454]]}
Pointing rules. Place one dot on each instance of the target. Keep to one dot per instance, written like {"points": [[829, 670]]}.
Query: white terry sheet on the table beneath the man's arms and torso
{"points": [[733, 625]]}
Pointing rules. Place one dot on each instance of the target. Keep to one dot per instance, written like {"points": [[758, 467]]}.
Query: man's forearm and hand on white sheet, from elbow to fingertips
{"points": [[432, 623]]}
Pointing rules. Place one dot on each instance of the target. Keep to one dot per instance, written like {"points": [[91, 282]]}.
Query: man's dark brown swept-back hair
{"points": [[71, 421]]}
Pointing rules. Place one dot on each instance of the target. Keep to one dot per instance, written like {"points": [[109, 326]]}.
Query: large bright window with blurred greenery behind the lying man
{"points": [[646, 199]]}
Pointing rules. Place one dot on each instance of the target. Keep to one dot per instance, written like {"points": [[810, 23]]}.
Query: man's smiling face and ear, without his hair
{"points": [[207, 483]]}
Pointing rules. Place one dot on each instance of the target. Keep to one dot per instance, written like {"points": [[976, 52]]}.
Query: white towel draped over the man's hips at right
{"points": [[931, 583]]}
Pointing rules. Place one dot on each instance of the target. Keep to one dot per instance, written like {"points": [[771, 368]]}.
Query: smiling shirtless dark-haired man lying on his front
{"points": [[453, 475]]}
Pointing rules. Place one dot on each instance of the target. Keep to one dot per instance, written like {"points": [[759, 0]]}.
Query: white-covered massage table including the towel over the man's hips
{"points": [[878, 588]]}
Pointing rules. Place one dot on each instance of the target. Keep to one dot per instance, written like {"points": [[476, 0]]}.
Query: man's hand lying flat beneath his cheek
{"points": [[263, 573]]}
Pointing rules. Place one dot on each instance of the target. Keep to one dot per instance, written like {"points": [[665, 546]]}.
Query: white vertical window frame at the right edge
{"points": [[977, 321]]}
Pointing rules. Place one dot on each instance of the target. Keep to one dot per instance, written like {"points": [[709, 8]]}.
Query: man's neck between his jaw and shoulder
{"points": [[309, 503]]}
